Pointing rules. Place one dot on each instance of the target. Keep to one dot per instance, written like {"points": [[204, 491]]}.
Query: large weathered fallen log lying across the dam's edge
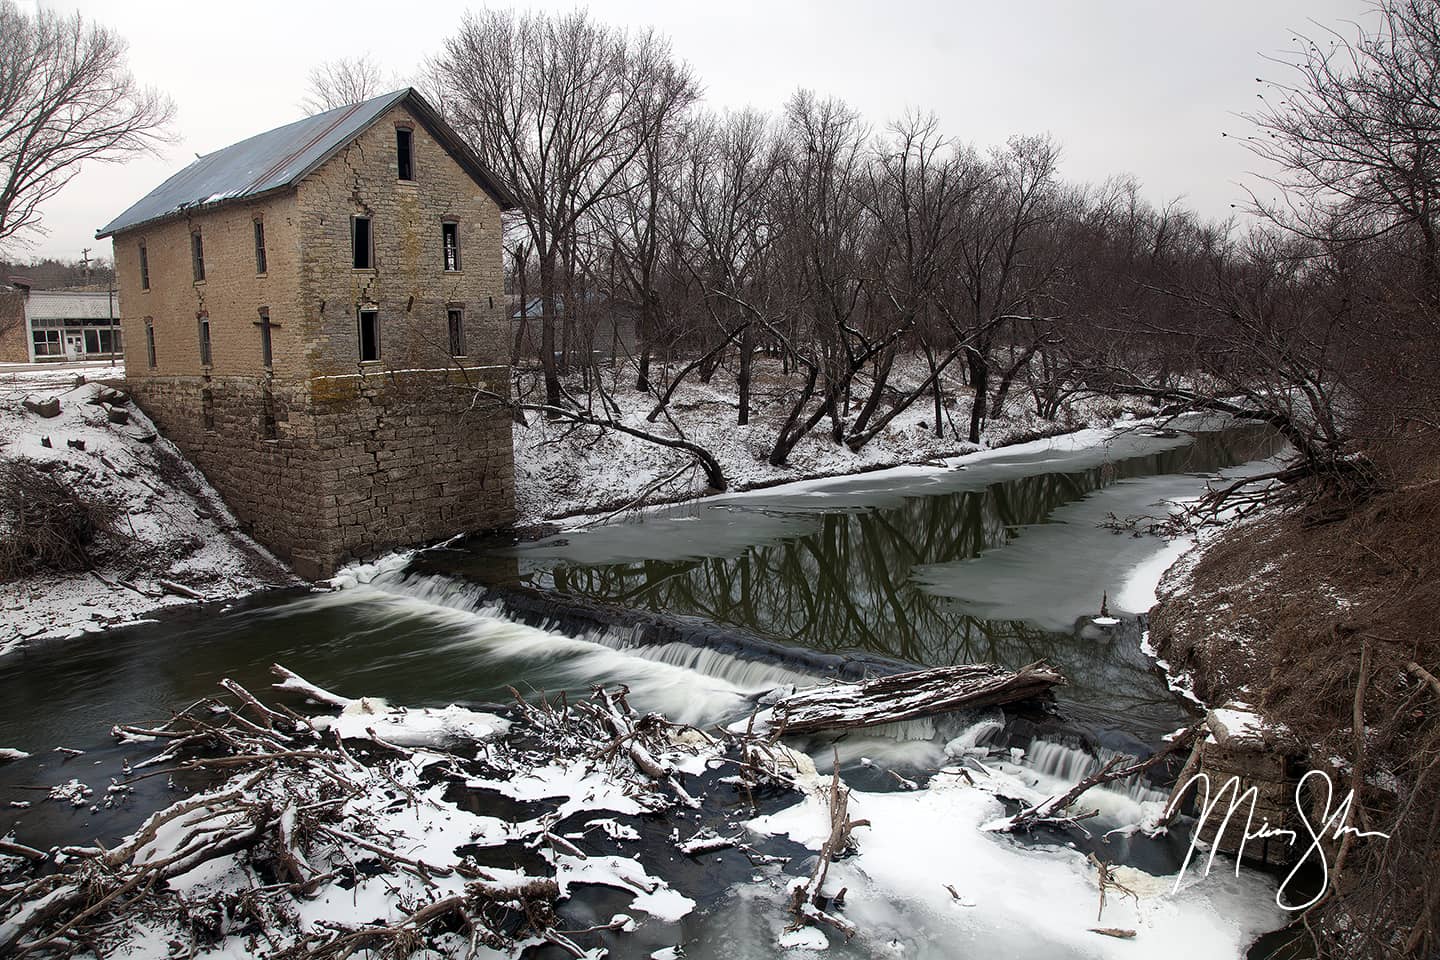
{"points": [[906, 696]]}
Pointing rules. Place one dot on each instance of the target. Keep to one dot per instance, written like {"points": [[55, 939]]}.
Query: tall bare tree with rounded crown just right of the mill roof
{"points": [[558, 107]]}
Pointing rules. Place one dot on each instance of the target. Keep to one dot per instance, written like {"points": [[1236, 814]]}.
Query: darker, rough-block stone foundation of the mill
{"points": [[342, 468]]}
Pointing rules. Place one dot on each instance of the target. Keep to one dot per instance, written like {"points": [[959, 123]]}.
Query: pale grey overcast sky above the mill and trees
{"points": [[1125, 86]]}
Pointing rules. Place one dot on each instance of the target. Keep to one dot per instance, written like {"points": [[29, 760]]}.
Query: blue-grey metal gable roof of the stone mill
{"points": [[283, 158]]}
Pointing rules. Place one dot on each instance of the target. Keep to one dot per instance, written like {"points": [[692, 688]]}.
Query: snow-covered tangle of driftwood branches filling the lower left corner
{"points": [[302, 817]]}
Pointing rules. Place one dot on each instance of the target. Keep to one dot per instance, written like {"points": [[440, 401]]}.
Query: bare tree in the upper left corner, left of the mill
{"points": [[66, 97]]}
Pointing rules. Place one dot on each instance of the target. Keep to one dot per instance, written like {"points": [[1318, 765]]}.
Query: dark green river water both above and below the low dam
{"points": [[1002, 562]]}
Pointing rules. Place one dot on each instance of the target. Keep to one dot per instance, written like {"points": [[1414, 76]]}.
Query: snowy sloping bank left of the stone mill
{"points": [[172, 526]]}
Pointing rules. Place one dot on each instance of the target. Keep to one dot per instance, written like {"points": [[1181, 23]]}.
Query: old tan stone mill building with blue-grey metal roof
{"points": [[309, 316]]}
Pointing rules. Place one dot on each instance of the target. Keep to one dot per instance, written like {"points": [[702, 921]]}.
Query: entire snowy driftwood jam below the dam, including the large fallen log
{"points": [[302, 817]]}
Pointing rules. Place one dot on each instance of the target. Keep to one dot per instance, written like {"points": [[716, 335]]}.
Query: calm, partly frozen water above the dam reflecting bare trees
{"points": [[948, 566]]}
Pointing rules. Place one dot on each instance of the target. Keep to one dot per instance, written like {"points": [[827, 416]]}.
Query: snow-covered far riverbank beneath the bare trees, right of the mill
{"points": [[564, 470]]}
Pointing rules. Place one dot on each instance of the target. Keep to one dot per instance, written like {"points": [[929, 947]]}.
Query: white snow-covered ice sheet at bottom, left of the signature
{"points": [[1014, 900]]}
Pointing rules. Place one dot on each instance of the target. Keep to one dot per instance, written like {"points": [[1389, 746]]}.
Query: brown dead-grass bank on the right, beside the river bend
{"points": [[1284, 614]]}
